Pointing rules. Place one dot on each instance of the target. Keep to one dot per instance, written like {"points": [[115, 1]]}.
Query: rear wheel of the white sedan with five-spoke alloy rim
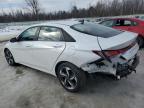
{"points": [[71, 77]]}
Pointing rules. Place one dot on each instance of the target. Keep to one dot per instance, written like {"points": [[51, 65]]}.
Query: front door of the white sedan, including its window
{"points": [[22, 49]]}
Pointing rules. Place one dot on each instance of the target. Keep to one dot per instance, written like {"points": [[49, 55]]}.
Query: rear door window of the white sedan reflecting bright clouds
{"points": [[50, 34]]}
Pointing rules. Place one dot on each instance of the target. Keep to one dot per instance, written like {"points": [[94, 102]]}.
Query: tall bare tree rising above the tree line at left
{"points": [[33, 6]]}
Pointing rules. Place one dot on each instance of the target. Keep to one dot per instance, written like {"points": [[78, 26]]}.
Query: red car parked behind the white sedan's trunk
{"points": [[128, 24]]}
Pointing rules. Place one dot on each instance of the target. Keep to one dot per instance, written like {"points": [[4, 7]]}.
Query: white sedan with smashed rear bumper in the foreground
{"points": [[72, 50]]}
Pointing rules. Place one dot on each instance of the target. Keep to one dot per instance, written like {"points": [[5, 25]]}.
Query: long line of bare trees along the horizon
{"points": [[99, 9]]}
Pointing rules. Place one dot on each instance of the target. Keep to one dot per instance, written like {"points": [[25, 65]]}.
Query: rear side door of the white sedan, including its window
{"points": [[48, 48]]}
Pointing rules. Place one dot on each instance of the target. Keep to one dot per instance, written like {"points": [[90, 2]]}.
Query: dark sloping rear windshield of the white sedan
{"points": [[96, 30]]}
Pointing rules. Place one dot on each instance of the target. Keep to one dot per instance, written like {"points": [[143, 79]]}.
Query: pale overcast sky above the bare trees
{"points": [[47, 5]]}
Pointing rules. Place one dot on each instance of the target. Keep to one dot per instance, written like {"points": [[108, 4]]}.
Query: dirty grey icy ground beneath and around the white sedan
{"points": [[23, 87]]}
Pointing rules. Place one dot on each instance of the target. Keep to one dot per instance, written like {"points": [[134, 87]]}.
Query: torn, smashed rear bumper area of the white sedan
{"points": [[120, 69]]}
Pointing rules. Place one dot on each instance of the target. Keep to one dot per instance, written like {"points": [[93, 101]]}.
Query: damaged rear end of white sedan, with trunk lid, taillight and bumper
{"points": [[118, 55]]}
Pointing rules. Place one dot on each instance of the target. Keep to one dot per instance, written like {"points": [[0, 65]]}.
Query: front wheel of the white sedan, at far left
{"points": [[9, 57]]}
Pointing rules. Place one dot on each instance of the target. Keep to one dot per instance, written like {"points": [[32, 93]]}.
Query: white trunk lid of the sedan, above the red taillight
{"points": [[117, 42]]}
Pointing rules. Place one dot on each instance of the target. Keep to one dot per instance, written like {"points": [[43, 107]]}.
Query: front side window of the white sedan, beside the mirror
{"points": [[29, 34]]}
